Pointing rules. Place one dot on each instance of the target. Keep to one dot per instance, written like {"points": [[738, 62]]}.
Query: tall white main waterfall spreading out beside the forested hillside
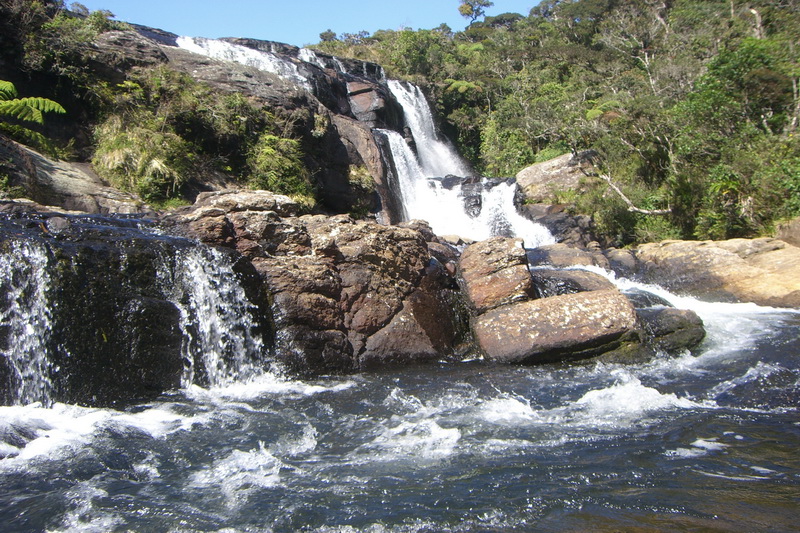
{"points": [[469, 207]]}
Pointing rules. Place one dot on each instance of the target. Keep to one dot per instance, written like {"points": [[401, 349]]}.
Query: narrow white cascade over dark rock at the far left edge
{"points": [[25, 323]]}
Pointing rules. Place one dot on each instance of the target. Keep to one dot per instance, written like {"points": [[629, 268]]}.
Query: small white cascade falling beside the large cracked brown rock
{"points": [[216, 319]]}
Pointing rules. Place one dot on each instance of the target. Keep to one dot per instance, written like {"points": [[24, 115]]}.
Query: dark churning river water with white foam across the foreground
{"points": [[692, 442]]}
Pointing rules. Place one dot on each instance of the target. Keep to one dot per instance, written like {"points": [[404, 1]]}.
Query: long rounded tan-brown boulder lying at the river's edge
{"points": [[567, 327]]}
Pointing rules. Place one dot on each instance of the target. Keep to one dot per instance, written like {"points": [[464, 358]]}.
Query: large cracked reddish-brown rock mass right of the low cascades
{"points": [[344, 294]]}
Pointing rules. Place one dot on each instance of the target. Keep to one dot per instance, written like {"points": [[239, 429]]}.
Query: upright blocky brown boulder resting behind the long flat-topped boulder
{"points": [[494, 273]]}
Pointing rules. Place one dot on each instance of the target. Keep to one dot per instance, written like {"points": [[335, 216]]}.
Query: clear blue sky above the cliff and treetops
{"points": [[295, 22]]}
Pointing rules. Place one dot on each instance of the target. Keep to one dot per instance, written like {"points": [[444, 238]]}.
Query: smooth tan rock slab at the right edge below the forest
{"points": [[763, 271]]}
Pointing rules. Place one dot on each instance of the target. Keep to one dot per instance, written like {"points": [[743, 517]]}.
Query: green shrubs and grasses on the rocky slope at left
{"points": [[158, 131]]}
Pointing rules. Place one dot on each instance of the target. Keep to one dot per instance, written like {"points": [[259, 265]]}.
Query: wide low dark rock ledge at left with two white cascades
{"points": [[162, 301]]}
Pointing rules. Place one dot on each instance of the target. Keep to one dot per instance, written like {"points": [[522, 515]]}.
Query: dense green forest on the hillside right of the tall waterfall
{"points": [[691, 105]]}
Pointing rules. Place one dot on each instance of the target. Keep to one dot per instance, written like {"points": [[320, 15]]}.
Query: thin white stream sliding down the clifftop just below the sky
{"points": [[266, 61]]}
